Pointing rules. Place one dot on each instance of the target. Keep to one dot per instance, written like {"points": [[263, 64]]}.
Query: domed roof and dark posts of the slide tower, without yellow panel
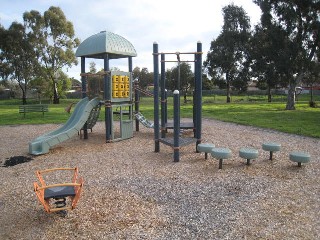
{"points": [[106, 46]]}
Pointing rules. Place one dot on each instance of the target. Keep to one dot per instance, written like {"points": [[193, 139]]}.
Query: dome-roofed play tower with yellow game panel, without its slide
{"points": [[117, 84]]}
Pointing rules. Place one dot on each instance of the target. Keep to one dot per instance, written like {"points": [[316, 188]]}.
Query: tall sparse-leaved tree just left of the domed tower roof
{"points": [[54, 40]]}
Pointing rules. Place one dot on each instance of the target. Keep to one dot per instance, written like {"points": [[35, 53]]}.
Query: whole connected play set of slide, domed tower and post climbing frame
{"points": [[118, 98]]}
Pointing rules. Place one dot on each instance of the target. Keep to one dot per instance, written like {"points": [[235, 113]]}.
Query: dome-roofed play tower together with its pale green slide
{"points": [[117, 95]]}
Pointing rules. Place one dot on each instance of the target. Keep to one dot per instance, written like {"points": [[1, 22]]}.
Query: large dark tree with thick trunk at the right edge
{"points": [[296, 25]]}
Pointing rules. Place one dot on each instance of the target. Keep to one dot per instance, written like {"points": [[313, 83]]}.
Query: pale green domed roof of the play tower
{"points": [[106, 42]]}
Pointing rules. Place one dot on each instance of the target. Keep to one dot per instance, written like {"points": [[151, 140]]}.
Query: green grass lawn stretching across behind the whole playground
{"points": [[243, 110]]}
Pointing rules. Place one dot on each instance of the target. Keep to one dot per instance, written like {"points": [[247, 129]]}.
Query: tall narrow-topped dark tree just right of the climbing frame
{"points": [[227, 58]]}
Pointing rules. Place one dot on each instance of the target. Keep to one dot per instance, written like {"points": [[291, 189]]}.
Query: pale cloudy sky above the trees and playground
{"points": [[176, 25]]}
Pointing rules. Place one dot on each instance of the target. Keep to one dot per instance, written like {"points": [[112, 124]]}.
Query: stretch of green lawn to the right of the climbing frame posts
{"points": [[303, 121]]}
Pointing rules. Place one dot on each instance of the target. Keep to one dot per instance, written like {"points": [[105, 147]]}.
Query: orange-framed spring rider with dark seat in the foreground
{"points": [[58, 197]]}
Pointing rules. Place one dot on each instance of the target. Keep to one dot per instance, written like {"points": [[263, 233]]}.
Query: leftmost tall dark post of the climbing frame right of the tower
{"points": [[156, 96]]}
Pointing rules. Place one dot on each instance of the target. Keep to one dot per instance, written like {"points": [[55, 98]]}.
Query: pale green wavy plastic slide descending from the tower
{"points": [[42, 144]]}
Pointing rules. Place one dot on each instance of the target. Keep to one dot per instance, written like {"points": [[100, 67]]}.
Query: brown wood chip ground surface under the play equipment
{"points": [[131, 192]]}
